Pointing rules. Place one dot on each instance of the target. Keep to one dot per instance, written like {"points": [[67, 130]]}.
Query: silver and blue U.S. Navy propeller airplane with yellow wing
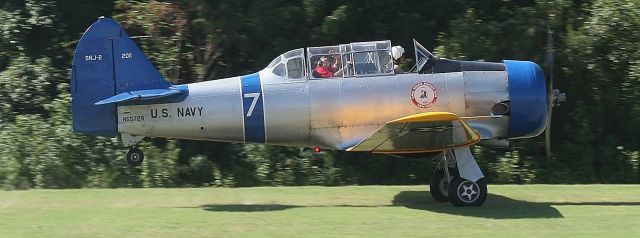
{"points": [[347, 97]]}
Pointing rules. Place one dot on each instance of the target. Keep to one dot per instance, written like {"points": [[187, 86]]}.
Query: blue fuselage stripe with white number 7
{"points": [[252, 108]]}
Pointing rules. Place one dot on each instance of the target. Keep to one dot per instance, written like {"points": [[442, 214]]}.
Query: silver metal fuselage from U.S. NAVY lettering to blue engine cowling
{"points": [[333, 113]]}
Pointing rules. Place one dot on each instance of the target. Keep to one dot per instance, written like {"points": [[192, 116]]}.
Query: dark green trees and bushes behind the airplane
{"points": [[597, 64]]}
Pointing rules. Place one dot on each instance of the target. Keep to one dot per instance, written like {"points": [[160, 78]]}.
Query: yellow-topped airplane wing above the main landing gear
{"points": [[420, 133]]}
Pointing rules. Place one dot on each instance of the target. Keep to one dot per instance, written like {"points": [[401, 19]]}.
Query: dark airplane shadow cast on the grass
{"points": [[496, 207]]}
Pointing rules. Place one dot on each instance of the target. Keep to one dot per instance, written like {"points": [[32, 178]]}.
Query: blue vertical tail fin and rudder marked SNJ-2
{"points": [[108, 64]]}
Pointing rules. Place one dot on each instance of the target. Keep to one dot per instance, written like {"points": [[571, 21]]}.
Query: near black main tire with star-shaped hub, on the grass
{"points": [[464, 193]]}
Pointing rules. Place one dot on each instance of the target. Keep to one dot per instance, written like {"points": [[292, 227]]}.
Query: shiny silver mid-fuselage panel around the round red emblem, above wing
{"points": [[348, 110]]}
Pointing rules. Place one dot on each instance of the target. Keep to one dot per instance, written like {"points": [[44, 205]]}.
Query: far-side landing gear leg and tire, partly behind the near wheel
{"points": [[442, 177]]}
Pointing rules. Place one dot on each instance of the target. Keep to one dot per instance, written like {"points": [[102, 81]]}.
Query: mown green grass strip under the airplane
{"points": [[367, 211]]}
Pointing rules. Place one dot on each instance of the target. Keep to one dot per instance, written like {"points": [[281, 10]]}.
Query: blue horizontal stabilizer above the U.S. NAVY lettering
{"points": [[143, 95]]}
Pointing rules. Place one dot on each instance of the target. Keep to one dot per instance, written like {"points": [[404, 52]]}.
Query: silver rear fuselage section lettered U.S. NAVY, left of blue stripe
{"points": [[212, 111]]}
